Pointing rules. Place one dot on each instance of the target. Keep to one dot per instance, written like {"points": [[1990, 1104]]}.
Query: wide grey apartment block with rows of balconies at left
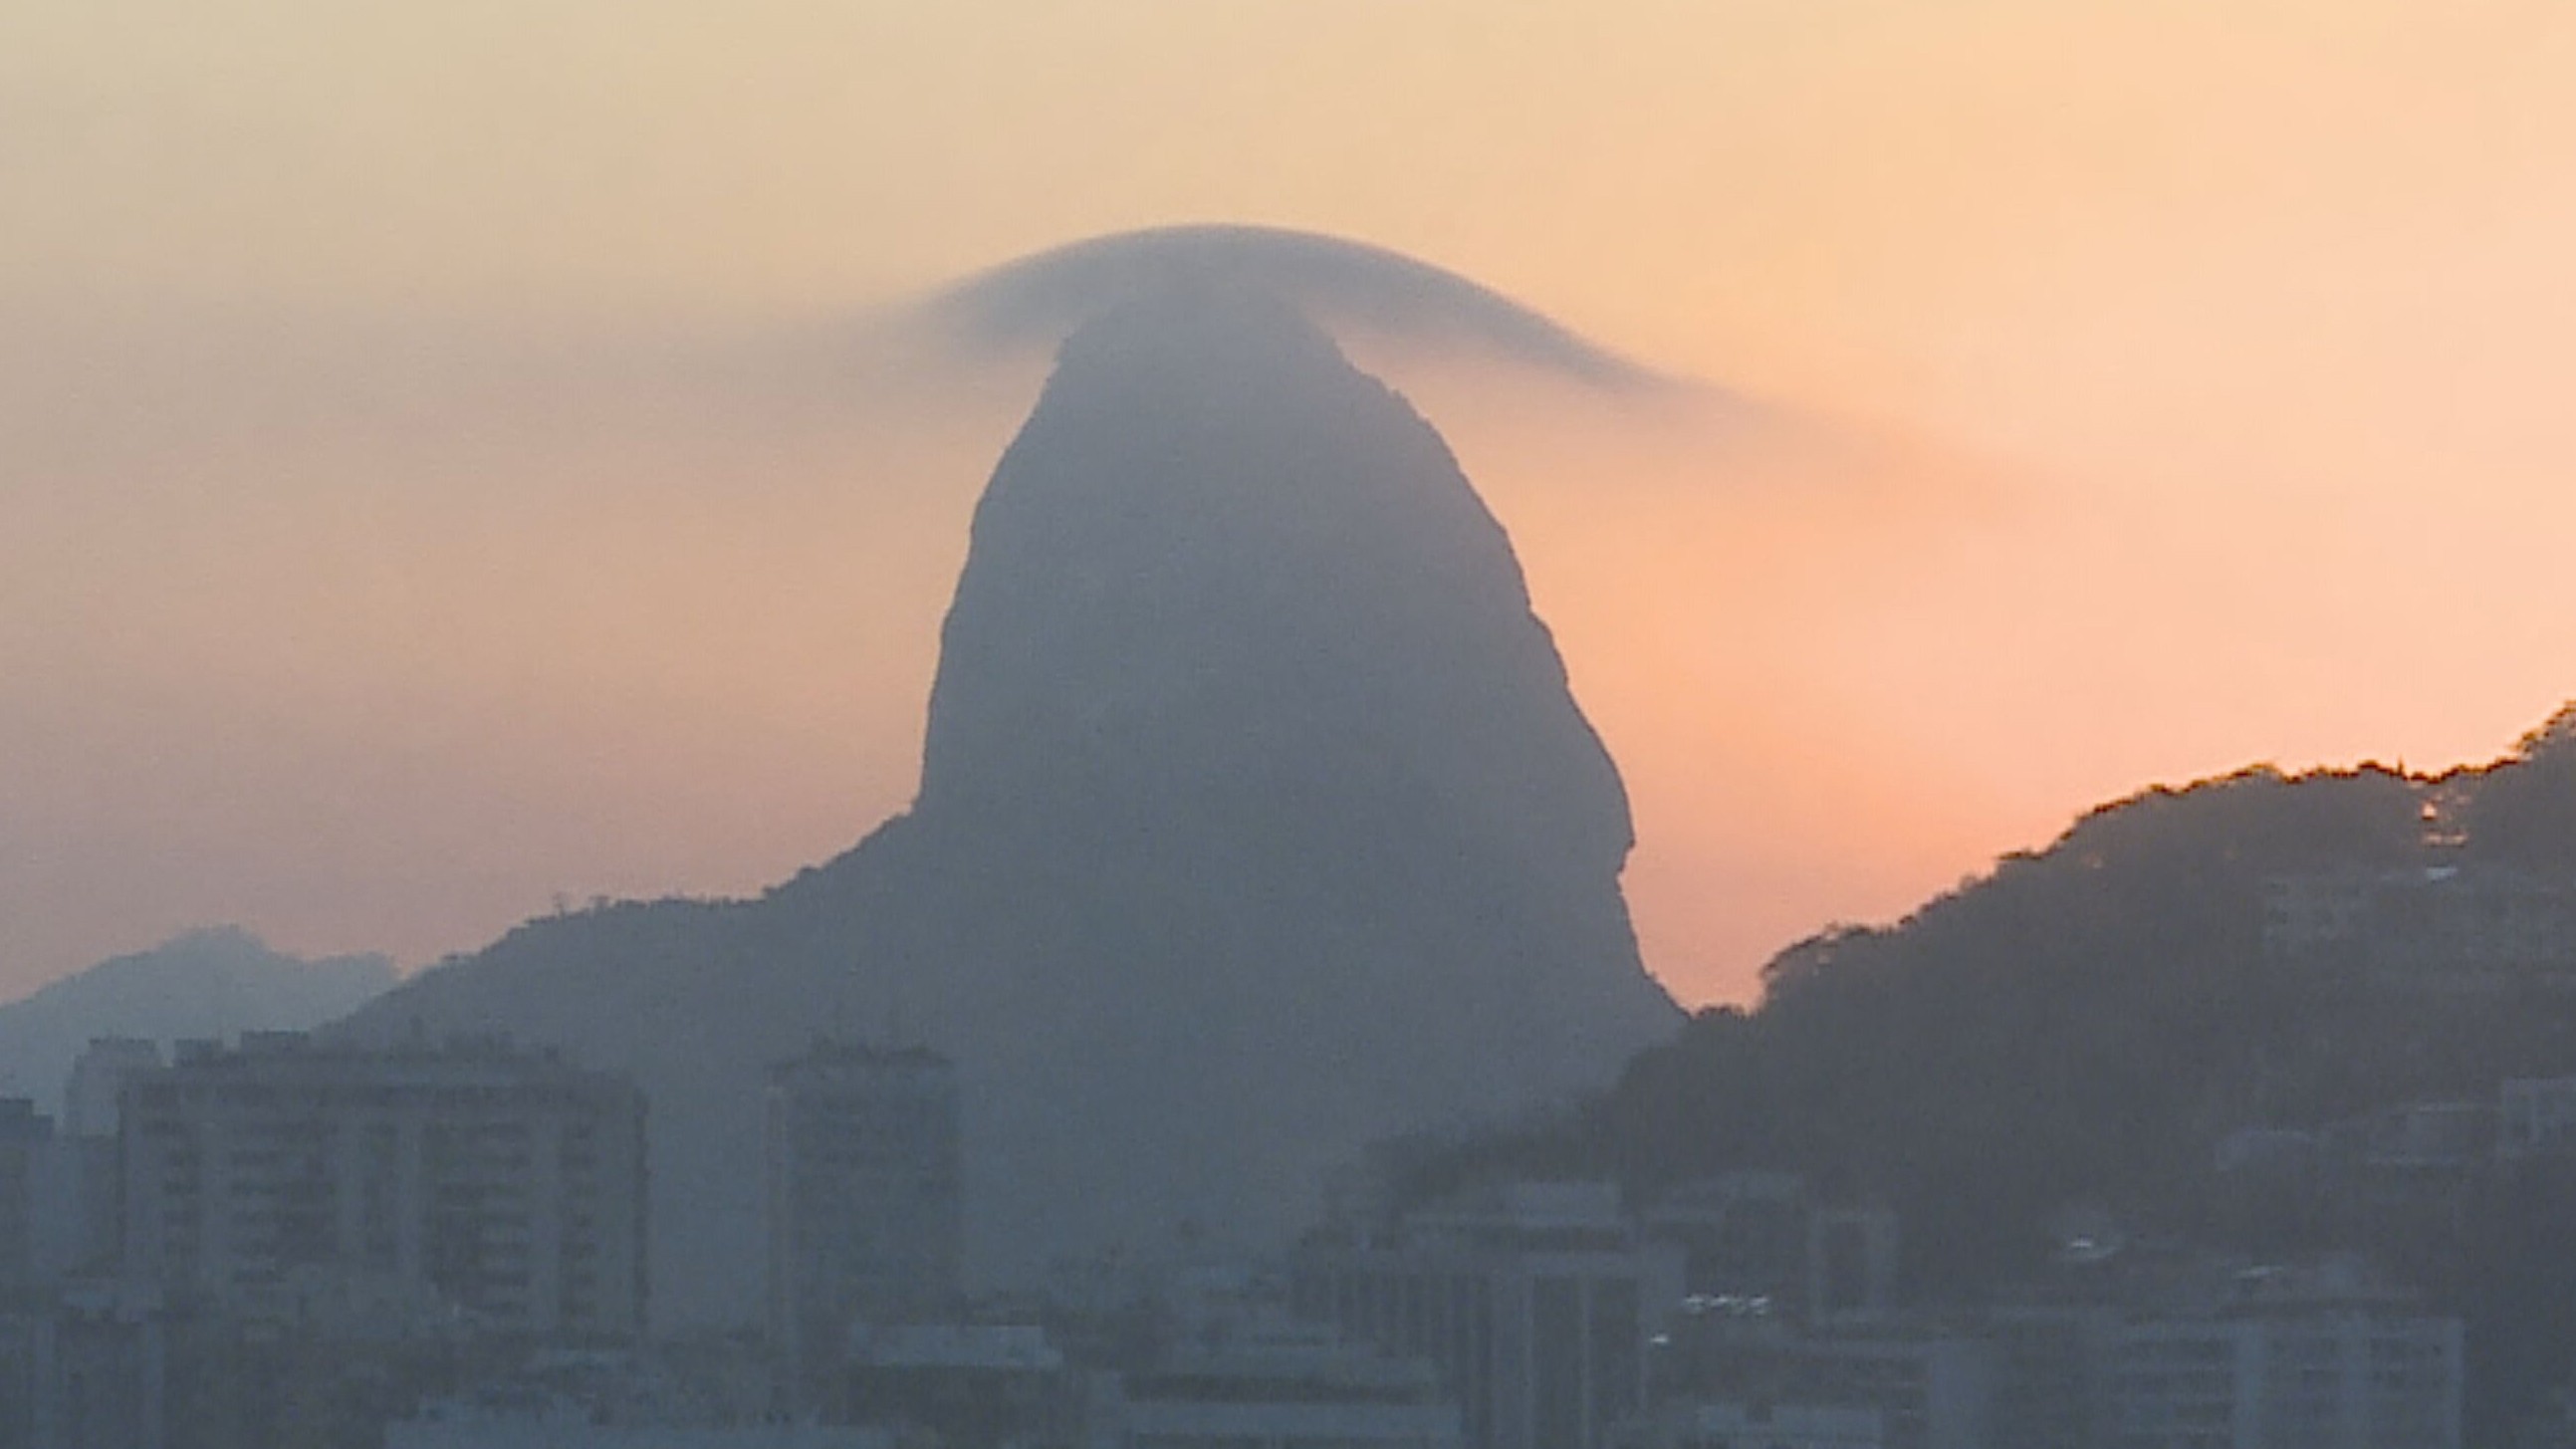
{"points": [[470, 1182]]}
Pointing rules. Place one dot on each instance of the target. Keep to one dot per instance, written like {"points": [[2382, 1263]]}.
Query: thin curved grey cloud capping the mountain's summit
{"points": [[1042, 298]]}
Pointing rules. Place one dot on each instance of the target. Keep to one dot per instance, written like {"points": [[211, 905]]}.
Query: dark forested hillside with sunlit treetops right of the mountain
{"points": [[2088, 1022]]}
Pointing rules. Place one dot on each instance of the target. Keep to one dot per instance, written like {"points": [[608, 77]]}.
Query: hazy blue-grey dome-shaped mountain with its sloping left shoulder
{"points": [[1256, 824]]}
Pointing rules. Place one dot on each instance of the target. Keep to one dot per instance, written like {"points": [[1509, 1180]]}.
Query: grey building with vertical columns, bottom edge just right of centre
{"points": [[1537, 1301]]}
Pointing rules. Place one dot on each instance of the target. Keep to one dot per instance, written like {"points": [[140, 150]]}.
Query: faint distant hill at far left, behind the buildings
{"points": [[205, 984]]}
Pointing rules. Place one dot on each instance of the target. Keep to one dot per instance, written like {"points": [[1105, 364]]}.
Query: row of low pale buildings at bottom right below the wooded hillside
{"points": [[2253, 1360]]}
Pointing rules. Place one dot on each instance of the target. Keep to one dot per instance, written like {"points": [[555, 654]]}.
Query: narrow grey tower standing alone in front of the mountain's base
{"points": [[864, 1200]]}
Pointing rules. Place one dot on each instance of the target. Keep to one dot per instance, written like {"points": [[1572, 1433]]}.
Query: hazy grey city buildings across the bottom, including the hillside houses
{"points": [[292, 1239]]}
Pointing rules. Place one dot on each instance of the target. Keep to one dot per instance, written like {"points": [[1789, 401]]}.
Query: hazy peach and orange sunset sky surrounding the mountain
{"points": [[406, 520]]}
